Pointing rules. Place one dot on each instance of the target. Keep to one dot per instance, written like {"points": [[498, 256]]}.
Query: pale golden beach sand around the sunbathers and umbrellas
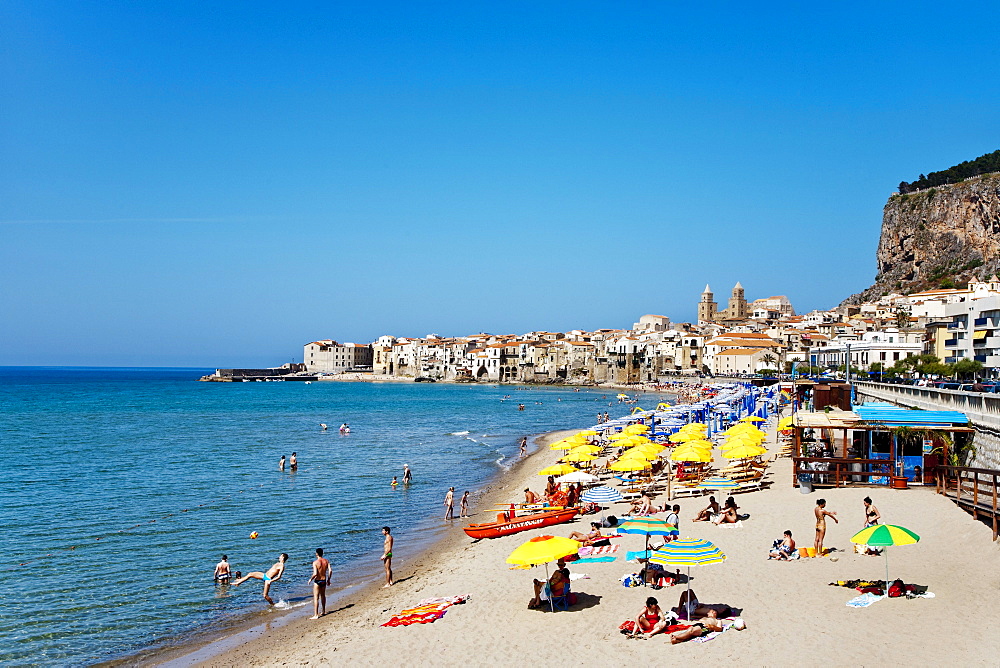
{"points": [[792, 615]]}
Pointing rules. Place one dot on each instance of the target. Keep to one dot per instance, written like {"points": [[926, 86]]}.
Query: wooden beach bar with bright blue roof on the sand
{"points": [[874, 444]]}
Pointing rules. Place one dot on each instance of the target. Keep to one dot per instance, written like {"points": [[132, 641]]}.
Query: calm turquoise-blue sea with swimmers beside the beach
{"points": [[121, 488]]}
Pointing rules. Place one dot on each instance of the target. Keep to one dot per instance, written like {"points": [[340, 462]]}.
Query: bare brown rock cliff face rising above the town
{"points": [[938, 236]]}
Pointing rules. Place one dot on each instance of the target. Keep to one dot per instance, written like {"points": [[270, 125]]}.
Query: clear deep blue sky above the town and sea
{"points": [[219, 183]]}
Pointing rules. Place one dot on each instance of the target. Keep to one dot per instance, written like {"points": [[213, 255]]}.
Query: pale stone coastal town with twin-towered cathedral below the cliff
{"points": [[959, 327]]}
